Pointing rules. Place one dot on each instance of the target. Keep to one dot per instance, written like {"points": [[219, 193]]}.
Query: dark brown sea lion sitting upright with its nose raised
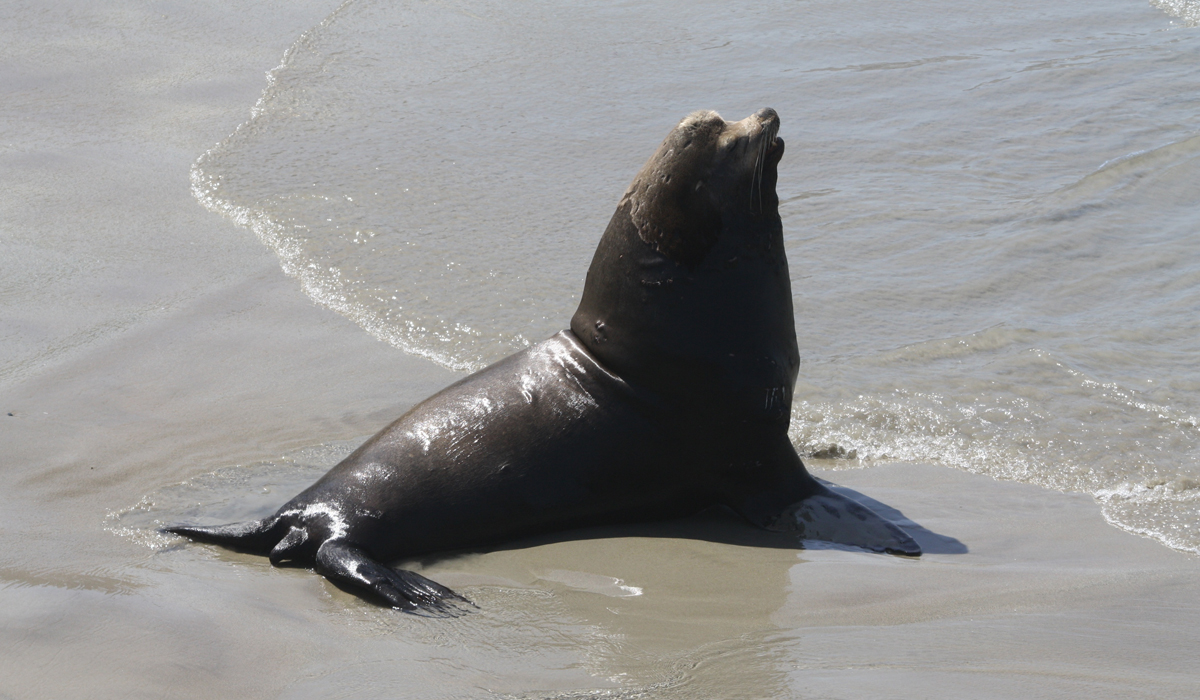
{"points": [[670, 393]]}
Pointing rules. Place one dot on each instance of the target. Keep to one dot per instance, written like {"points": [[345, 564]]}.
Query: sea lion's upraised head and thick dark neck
{"points": [[689, 294]]}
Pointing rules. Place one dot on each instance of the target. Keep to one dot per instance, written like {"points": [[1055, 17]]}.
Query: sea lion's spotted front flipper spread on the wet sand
{"points": [[831, 517]]}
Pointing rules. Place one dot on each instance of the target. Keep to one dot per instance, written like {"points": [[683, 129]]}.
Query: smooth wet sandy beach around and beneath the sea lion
{"points": [[148, 343]]}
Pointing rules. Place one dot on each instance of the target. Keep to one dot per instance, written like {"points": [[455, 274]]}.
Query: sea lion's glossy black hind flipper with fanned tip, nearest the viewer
{"points": [[347, 565]]}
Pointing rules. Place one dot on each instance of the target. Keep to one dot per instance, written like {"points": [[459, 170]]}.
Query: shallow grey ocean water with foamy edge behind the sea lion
{"points": [[991, 211]]}
